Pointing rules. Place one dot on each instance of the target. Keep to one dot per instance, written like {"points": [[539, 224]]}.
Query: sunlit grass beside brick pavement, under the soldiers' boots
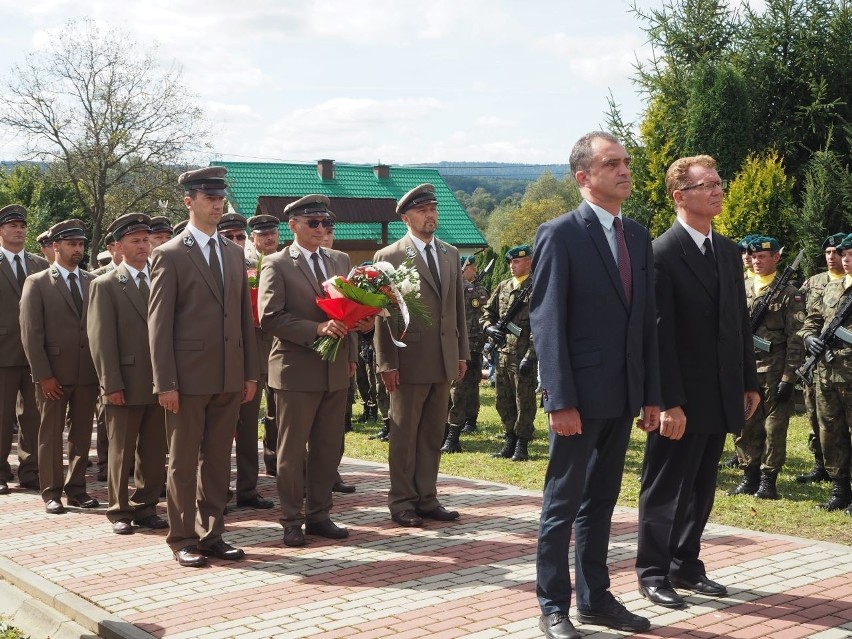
{"points": [[795, 514]]}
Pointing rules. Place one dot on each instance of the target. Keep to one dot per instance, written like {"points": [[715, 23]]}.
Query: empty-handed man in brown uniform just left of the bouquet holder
{"points": [[204, 360]]}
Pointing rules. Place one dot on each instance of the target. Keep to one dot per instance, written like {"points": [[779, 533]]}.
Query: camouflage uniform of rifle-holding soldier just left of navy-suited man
{"points": [[516, 403]]}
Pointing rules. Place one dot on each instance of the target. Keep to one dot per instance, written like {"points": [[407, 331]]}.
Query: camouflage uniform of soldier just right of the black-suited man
{"points": [[763, 440]]}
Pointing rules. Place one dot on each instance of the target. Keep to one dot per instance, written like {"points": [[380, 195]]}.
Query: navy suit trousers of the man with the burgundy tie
{"points": [[580, 490]]}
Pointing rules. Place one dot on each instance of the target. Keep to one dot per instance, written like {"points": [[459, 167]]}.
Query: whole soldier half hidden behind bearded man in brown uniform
{"points": [[464, 407]]}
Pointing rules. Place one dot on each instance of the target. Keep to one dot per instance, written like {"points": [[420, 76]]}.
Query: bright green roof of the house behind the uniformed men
{"points": [[250, 180]]}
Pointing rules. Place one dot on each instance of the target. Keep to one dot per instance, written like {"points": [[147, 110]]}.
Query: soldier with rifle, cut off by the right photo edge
{"points": [[833, 382]]}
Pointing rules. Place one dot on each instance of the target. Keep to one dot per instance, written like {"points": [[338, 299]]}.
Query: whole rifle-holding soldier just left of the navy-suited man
{"points": [[517, 363]]}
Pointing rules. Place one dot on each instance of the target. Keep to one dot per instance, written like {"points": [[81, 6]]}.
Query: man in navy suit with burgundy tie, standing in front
{"points": [[593, 317]]}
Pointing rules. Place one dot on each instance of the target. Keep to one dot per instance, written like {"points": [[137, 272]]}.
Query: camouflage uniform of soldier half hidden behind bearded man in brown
{"points": [[465, 395]]}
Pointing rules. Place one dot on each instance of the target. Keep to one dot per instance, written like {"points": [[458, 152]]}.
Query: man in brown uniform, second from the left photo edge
{"points": [[53, 330]]}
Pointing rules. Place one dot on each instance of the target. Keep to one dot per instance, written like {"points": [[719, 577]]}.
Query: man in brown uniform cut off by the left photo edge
{"points": [[16, 265]]}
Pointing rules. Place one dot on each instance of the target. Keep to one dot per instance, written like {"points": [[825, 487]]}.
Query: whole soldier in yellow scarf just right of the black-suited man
{"points": [[762, 445]]}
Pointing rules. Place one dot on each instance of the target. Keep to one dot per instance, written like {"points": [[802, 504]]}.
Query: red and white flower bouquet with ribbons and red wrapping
{"points": [[370, 290]]}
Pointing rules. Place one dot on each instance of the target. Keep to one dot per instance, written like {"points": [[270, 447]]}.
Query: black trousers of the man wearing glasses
{"points": [[678, 489]]}
